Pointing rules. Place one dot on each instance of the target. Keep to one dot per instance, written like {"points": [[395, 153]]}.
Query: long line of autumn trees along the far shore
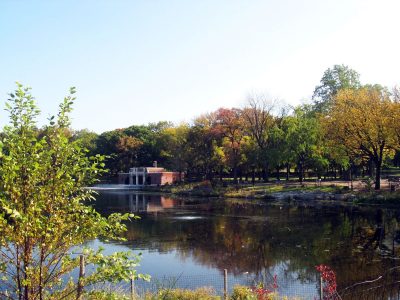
{"points": [[348, 129]]}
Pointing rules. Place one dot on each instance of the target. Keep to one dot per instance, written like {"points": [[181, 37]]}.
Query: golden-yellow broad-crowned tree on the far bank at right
{"points": [[365, 122]]}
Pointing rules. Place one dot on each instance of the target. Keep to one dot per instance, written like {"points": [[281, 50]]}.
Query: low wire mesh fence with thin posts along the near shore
{"points": [[385, 286]]}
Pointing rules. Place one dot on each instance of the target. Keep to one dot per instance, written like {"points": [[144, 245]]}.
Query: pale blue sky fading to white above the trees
{"points": [[135, 62]]}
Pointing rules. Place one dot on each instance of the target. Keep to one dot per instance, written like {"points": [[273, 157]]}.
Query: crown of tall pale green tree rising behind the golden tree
{"points": [[333, 80]]}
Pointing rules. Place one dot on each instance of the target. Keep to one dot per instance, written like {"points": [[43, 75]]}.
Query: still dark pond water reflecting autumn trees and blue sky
{"points": [[191, 241]]}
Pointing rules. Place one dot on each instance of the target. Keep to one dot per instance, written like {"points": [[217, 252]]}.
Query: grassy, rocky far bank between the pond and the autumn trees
{"points": [[283, 191]]}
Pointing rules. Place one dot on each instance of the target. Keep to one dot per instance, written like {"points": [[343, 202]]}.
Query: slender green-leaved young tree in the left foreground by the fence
{"points": [[43, 216]]}
